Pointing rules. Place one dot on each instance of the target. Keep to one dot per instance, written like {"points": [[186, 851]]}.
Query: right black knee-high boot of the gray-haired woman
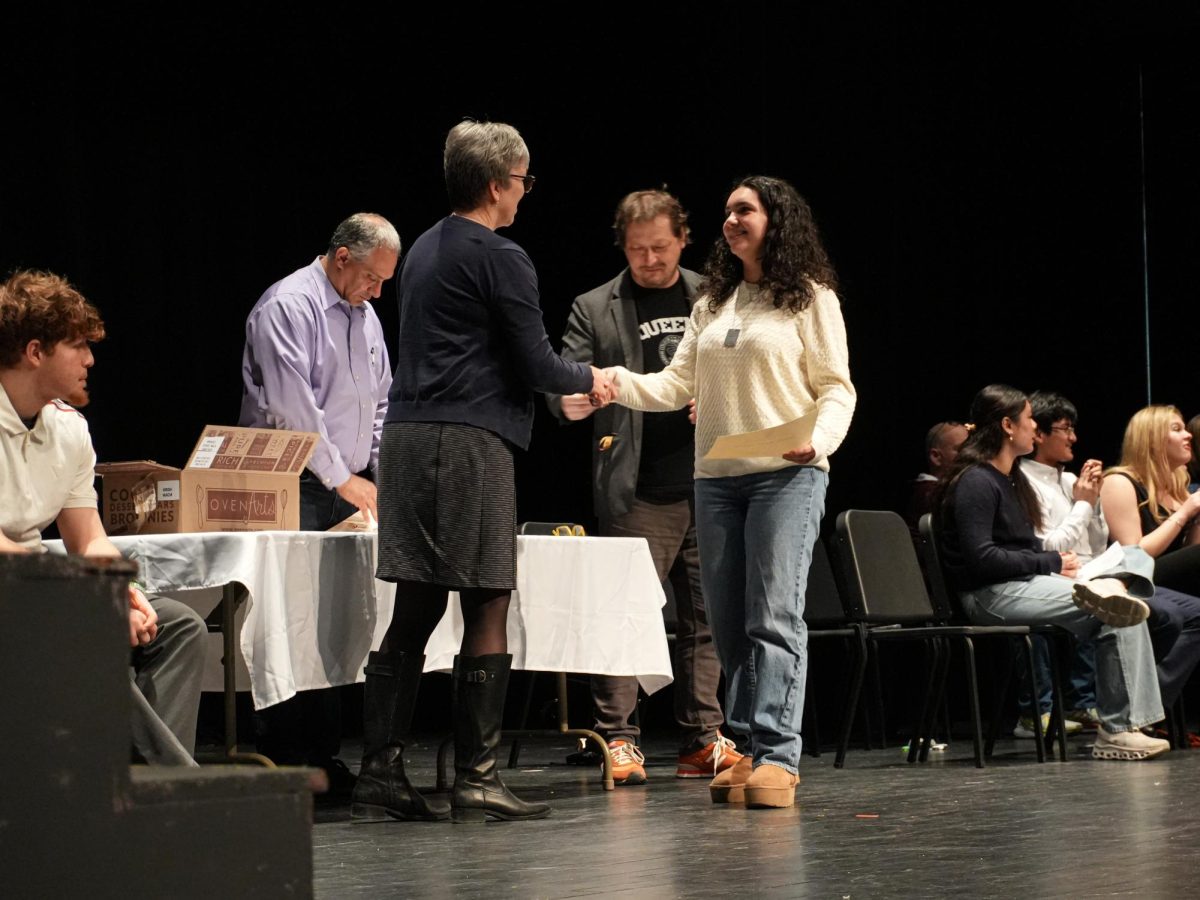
{"points": [[481, 685]]}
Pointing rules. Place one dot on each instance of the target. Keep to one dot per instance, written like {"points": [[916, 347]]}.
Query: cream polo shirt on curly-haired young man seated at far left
{"points": [[44, 470]]}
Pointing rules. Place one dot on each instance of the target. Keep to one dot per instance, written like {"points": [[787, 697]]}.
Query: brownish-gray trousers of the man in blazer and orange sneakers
{"points": [[671, 532]]}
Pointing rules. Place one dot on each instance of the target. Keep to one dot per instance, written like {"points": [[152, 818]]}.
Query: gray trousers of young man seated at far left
{"points": [[166, 686]]}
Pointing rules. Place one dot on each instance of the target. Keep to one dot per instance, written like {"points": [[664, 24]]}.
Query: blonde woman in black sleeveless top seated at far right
{"points": [[1147, 500]]}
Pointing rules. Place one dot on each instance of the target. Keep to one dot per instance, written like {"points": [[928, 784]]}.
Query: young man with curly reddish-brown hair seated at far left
{"points": [[49, 467]]}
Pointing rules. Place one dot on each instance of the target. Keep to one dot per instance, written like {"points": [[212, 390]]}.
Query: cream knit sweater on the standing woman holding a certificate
{"points": [[778, 367]]}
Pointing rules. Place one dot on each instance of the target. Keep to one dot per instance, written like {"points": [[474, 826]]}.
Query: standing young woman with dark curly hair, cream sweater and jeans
{"points": [[765, 344]]}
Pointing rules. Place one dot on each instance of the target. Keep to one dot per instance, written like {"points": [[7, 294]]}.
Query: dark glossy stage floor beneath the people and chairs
{"points": [[878, 829]]}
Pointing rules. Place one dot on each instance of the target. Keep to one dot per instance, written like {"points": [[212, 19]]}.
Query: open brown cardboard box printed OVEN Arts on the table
{"points": [[236, 481]]}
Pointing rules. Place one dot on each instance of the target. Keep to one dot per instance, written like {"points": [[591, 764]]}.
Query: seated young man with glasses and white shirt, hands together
{"points": [[1072, 521]]}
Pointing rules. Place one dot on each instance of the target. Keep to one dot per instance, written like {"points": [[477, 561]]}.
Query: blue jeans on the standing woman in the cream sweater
{"points": [[757, 536]]}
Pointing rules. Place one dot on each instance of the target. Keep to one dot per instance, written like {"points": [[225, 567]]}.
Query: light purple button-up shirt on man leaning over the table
{"points": [[315, 363]]}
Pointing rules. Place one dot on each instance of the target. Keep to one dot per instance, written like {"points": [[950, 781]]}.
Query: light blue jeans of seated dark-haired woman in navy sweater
{"points": [[1127, 695]]}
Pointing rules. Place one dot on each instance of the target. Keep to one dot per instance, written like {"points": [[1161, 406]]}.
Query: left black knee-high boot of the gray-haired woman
{"points": [[389, 699]]}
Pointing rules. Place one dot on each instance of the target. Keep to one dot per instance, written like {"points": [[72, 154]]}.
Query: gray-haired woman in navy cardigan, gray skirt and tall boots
{"points": [[472, 352]]}
